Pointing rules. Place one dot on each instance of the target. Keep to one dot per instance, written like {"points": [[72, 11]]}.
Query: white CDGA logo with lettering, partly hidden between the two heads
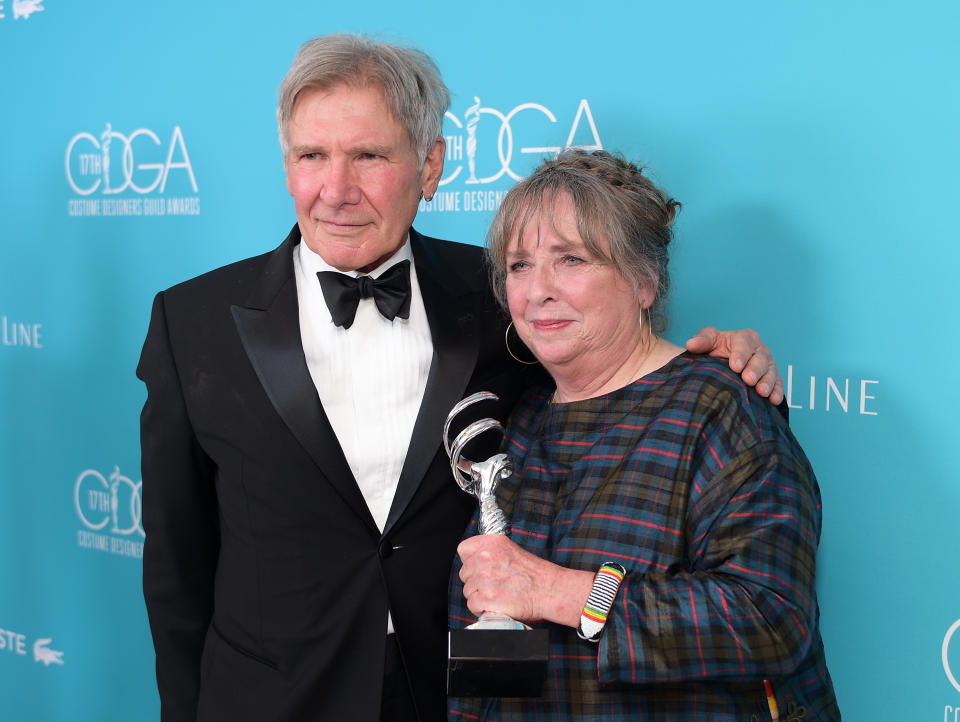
{"points": [[486, 149]]}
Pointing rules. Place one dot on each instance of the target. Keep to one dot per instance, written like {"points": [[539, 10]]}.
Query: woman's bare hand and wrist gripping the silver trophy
{"points": [[499, 576]]}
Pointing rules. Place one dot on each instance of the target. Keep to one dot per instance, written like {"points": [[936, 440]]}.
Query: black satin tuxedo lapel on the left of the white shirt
{"points": [[269, 328]]}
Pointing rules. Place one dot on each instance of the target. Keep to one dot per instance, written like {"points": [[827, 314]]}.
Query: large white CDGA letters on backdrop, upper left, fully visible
{"points": [[111, 163]]}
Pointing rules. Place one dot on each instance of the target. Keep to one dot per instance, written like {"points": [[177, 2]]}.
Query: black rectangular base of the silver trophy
{"points": [[497, 662]]}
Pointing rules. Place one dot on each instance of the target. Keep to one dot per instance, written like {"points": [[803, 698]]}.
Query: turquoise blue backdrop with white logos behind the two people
{"points": [[813, 145]]}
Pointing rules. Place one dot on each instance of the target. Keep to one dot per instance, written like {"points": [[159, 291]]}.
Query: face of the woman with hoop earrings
{"points": [[575, 312]]}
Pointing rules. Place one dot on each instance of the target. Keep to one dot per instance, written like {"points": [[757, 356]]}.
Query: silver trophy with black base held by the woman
{"points": [[490, 658]]}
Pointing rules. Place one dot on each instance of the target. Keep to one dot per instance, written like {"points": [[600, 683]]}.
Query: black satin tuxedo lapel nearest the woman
{"points": [[454, 328]]}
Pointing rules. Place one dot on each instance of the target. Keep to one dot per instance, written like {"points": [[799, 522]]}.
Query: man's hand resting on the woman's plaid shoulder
{"points": [[747, 355]]}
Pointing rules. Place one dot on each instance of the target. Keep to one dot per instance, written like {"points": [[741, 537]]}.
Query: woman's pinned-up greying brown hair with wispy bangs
{"points": [[612, 201]]}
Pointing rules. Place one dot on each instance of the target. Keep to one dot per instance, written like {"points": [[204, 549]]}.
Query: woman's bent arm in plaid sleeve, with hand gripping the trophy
{"points": [[743, 608]]}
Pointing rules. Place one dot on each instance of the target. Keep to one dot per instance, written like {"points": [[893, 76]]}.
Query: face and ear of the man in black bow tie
{"points": [[353, 173]]}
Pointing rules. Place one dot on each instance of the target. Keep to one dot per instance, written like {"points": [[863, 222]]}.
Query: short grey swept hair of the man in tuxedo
{"points": [[409, 79]]}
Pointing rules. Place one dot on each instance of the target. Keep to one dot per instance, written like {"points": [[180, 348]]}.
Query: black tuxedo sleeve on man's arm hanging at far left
{"points": [[180, 520]]}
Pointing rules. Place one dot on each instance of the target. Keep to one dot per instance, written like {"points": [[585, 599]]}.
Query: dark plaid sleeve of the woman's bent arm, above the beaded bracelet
{"points": [[743, 606]]}
